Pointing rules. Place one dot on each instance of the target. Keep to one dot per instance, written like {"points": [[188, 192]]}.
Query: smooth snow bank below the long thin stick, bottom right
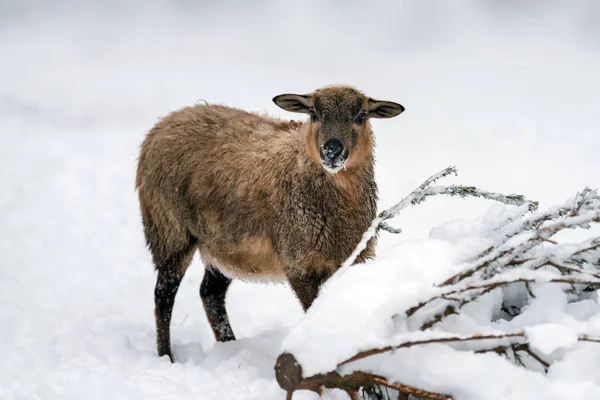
{"points": [[469, 376]]}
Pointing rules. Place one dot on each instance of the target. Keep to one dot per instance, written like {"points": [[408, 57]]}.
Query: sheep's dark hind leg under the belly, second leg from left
{"points": [[212, 292]]}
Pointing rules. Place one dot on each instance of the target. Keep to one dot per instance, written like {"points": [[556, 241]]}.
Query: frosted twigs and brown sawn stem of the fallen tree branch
{"points": [[516, 245]]}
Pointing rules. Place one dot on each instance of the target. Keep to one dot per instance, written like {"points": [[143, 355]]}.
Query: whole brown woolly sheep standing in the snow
{"points": [[261, 198]]}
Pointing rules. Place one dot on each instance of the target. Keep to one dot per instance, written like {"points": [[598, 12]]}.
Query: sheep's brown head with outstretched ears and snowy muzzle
{"points": [[339, 133]]}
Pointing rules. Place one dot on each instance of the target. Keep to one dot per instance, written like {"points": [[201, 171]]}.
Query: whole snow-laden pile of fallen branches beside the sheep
{"points": [[518, 247]]}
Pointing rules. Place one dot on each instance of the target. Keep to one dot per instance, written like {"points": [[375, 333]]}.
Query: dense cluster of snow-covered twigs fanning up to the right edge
{"points": [[478, 279]]}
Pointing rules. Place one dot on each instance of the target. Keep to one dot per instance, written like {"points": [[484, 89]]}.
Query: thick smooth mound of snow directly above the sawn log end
{"points": [[370, 294]]}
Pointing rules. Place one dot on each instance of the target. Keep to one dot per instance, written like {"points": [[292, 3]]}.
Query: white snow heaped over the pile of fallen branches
{"points": [[364, 307]]}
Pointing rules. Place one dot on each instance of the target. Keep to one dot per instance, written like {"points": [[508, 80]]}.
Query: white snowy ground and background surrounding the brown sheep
{"points": [[507, 91]]}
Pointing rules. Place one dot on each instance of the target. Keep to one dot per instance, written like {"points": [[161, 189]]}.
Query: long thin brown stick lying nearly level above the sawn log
{"points": [[451, 339]]}
